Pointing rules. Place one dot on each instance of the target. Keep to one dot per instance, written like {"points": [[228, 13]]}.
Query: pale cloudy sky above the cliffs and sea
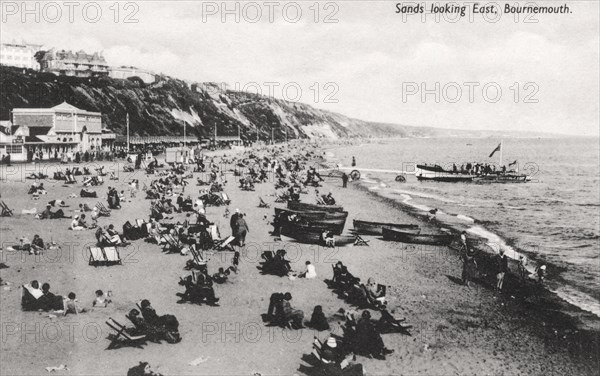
{"points": [[357, 58]]}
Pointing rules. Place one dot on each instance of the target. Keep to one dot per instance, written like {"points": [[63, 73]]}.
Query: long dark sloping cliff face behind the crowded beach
{"points": [[162, 108]]}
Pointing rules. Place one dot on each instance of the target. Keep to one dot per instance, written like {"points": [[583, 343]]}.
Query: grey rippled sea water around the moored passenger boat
{"points": [[553, 219]]}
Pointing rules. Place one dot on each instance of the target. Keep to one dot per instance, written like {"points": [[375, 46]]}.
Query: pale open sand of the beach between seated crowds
{"points": [[456, 330]]}
